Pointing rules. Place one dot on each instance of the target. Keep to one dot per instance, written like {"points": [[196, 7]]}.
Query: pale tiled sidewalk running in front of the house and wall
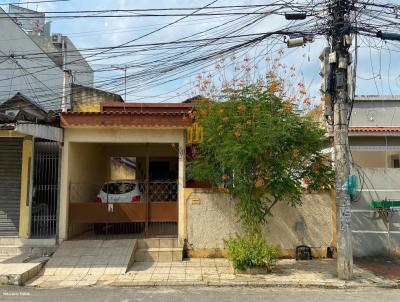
{"points": [[211, 272]]}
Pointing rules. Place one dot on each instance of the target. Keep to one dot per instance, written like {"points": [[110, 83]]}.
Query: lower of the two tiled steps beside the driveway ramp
{"points": [[158, 254]]}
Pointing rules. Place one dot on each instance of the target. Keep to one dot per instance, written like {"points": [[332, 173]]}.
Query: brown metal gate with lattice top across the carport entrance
{"points": [[154, 215]]}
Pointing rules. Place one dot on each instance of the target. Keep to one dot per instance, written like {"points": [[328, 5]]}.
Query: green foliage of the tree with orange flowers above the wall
{"points": [[261, 151]]}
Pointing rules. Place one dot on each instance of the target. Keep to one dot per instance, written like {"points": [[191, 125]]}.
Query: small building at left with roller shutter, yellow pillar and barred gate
{"points": [[29, 155]]}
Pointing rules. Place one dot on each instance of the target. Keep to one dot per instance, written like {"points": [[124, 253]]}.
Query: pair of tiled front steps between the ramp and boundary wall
{"points": [[158, 250]]}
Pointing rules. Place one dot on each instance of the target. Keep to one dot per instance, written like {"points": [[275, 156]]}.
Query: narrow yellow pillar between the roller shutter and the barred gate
{"points": [[25, 171]]}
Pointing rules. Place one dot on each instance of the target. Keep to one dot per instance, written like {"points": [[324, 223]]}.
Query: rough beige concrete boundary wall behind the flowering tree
{"points": [[211, 219]]}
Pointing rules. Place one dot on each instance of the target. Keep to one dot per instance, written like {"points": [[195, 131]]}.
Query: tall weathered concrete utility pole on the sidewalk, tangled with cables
{"points": [[340, 60]]}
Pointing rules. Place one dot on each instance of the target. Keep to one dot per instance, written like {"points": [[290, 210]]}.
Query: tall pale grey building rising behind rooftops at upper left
{"points": [[33, 60]]}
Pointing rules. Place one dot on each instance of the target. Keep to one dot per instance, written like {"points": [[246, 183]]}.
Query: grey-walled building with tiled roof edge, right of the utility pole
{"points": [[374, 137]]}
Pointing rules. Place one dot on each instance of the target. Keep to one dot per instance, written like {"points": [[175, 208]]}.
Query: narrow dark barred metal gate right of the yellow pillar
{"points": [[45, 189]]}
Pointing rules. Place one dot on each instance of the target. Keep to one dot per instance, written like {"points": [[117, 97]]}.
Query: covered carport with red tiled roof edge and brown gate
{"points": [[140, 142]]}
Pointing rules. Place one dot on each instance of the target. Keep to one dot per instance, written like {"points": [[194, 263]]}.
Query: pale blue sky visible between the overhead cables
{"points": [[377, 71]]}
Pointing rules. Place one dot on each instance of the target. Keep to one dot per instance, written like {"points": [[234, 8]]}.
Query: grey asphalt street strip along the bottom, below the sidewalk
{"points": [[206, 294]]}
